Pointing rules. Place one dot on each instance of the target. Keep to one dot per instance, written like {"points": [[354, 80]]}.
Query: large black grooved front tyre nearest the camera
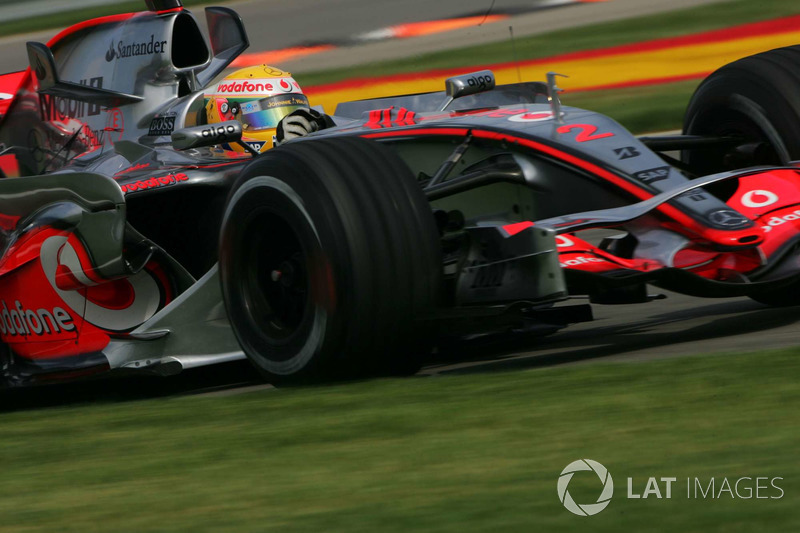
{"points": [[330, 262]]}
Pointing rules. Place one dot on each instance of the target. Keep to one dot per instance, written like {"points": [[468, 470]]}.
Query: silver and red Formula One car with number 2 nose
{"points": [[128, 244]]}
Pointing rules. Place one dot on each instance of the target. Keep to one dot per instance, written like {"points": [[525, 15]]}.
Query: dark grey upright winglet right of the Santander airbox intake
{"points": [[228, 39]]}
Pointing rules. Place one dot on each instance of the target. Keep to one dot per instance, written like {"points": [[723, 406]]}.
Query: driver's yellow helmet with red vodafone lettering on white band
{"points": [[258, 97]]}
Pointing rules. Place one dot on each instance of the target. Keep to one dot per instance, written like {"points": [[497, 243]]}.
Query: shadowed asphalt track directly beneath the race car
{"points": [[675, 326]]}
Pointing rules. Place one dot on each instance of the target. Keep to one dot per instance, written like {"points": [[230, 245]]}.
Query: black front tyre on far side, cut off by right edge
{"points": [[755, 99]]}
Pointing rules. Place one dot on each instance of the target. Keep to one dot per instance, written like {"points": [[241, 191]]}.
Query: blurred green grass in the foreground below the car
{"points": [[458, 453]]}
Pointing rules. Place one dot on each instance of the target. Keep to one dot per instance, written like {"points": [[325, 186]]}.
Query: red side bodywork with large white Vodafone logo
{"points": [[55, 305]]}
